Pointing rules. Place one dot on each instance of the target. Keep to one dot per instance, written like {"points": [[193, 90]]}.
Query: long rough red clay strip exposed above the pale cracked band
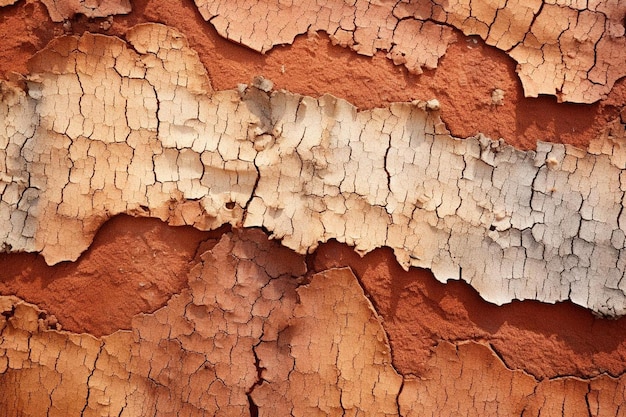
{"points": [[463, 82]]}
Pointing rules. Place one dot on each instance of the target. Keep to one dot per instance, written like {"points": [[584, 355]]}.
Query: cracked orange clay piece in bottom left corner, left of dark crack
{"points": [[42, 371]]}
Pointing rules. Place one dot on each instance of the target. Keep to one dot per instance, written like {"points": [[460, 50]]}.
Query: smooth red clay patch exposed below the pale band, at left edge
{"points": [[133, 266]]}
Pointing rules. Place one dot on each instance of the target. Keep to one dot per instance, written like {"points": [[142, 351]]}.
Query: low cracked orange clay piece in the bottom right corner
{"points": [[469, 379]]}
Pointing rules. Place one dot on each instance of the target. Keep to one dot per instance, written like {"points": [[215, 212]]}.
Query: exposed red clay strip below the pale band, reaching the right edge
{"points": [[545, 340]]}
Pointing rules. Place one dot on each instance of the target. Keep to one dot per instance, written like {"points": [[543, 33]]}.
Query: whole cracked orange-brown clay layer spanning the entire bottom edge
{"points": [[253, 334]]}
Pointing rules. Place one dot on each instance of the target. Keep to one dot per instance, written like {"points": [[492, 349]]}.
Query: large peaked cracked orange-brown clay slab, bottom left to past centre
{"points": [[243, 318]]}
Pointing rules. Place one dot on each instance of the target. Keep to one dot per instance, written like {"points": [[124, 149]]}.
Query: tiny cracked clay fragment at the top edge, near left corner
{"points": [[61, 10]]}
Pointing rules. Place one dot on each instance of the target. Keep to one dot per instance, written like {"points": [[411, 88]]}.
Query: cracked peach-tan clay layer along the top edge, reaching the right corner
{"points": [[572, 49]]}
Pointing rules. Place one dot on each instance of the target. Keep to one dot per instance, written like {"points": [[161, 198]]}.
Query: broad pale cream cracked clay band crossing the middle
{"points": [[102, 127]]}
